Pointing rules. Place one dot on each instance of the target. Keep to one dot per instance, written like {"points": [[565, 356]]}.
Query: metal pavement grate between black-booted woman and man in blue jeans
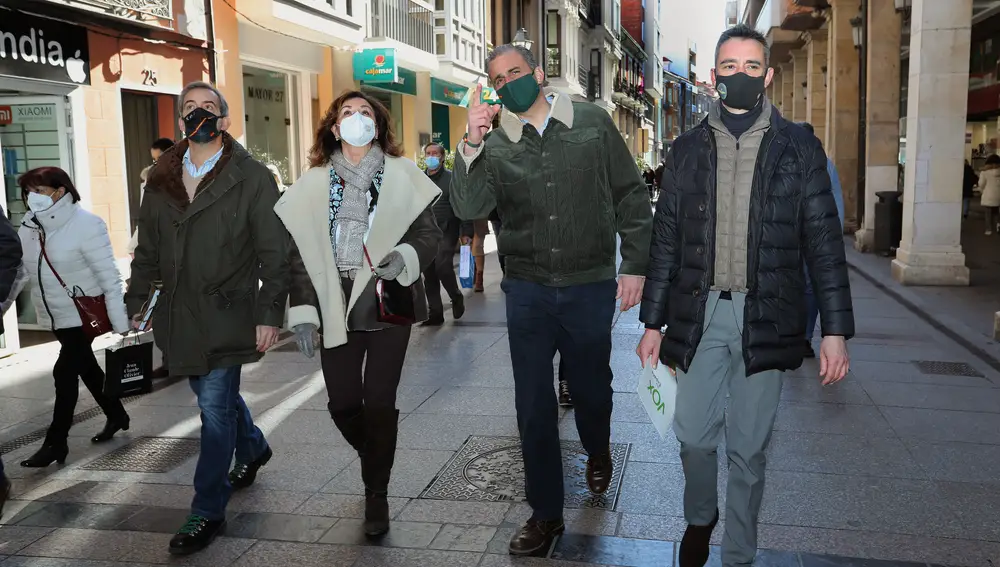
{"points": [[147, 454]]}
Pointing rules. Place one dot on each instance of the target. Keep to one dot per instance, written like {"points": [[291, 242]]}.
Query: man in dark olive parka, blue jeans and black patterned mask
{"points": [[209, 237]]}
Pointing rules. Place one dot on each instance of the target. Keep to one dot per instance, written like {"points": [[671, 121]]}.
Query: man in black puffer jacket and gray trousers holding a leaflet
{"points": [[745, 199]]}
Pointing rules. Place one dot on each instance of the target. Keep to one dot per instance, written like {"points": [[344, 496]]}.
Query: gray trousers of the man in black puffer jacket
{"points": [[716, 372]]}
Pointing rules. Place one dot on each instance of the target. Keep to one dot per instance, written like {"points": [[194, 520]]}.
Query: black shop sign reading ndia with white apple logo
{"points": [[39, 48]]}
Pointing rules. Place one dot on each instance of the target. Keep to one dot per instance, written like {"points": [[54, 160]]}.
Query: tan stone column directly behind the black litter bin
{"points": [[882, 116]]}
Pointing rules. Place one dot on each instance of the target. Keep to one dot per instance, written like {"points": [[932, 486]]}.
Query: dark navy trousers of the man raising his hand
{"points": [[576, 322]]}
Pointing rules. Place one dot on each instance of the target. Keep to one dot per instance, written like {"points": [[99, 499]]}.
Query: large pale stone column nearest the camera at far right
{"points": [[931, 250]]}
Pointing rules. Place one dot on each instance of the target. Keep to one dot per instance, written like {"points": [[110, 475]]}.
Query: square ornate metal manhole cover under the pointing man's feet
{"points": [[490, 469]]}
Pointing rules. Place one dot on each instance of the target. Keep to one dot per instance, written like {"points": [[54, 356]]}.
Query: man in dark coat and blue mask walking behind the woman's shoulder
{"points": [[441, 272]]}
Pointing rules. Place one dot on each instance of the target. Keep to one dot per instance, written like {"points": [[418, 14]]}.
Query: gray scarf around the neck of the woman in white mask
{"points": [[351, 223]]}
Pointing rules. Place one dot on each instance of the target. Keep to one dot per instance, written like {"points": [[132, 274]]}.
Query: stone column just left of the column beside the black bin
{"points": [[842, 104]]}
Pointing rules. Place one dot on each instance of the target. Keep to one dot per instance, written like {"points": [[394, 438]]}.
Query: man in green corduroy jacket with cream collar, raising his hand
{"points": [[561, 178]]}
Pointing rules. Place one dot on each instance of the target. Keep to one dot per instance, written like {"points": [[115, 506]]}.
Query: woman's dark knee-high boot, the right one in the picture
{"points": [[381, 427]]}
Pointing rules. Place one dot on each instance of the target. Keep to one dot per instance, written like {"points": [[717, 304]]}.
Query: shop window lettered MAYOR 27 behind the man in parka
{"points": [[270, 100]]}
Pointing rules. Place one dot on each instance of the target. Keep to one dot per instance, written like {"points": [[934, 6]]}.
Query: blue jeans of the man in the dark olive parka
{"points": [[226, 427]]}
